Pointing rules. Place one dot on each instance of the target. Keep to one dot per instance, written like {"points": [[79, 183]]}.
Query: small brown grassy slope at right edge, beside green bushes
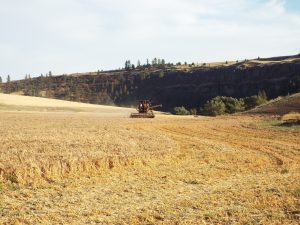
{"points": [[280, 106]]}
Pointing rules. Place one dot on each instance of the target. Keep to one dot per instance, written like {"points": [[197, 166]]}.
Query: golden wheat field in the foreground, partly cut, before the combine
{"points": [[88, 168]]}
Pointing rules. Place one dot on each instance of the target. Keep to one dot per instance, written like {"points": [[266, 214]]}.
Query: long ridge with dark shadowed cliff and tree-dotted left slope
{"points": [[189, 85]]}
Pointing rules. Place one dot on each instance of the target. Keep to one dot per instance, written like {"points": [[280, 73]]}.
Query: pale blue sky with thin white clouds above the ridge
{"points": [[69, 36]]}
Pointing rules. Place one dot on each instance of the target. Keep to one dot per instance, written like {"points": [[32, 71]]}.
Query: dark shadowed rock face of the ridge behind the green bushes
{"points": [[193, 89]]}
